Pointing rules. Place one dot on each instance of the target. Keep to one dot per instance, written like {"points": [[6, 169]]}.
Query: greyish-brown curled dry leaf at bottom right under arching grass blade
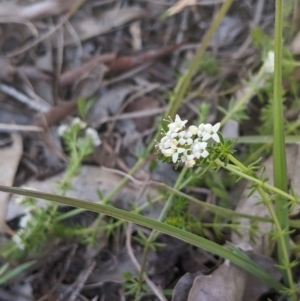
{"points": [[226, 283]]}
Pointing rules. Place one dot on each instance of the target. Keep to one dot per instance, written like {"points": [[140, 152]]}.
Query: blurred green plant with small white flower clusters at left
{"points": [[40, 223]]}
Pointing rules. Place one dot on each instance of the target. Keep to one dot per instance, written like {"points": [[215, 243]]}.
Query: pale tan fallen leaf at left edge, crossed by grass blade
{"points": [[9, 162]]}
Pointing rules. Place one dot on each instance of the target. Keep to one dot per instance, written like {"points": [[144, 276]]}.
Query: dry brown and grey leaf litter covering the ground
{"points": [[123, 59]]}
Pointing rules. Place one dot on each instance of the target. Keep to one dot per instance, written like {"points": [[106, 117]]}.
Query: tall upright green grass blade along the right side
{"points": [[279, 157]]}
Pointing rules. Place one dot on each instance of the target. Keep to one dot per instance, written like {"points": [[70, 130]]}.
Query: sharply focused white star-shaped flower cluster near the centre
{"points": [[187, 146]]}
